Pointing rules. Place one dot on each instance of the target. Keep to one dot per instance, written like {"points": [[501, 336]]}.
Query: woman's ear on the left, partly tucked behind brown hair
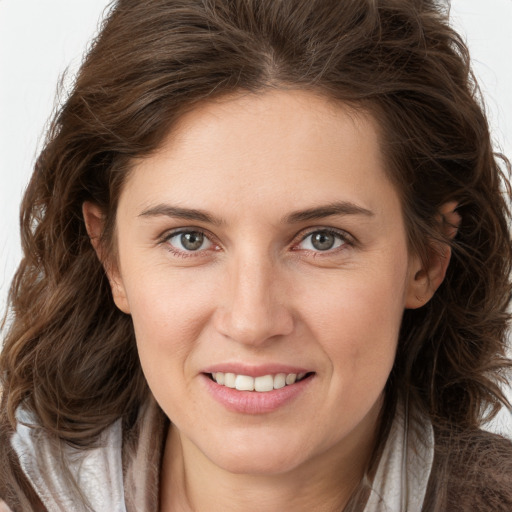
{"points": [[94, 223]]}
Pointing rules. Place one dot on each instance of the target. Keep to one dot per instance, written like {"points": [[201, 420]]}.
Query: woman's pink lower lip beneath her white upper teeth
{"points": [[254, 402]]}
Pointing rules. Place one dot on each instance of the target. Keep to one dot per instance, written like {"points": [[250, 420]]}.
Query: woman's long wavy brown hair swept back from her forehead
{"points": [[69, 355]]}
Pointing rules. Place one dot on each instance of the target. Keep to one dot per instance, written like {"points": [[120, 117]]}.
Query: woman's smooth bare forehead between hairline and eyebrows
{"points": [[275, 150]]}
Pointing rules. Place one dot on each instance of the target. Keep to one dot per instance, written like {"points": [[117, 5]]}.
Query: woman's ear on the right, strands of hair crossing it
{"points": [[425, 279]]}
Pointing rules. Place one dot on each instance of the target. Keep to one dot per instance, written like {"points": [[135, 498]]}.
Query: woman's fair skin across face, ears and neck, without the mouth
{"points": [[258, 292]]}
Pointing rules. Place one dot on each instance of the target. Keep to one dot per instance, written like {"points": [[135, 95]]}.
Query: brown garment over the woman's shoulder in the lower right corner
{"points": [[472, 470]]}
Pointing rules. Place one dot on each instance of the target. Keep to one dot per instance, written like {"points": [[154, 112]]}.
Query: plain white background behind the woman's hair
{"points": [[39, 39]]}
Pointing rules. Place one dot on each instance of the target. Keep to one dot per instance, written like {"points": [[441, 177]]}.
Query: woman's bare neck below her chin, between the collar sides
{"points": [[190, 482]]}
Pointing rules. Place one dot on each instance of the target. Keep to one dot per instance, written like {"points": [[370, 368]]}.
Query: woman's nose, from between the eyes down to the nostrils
{"points": [[253, 307]]}
